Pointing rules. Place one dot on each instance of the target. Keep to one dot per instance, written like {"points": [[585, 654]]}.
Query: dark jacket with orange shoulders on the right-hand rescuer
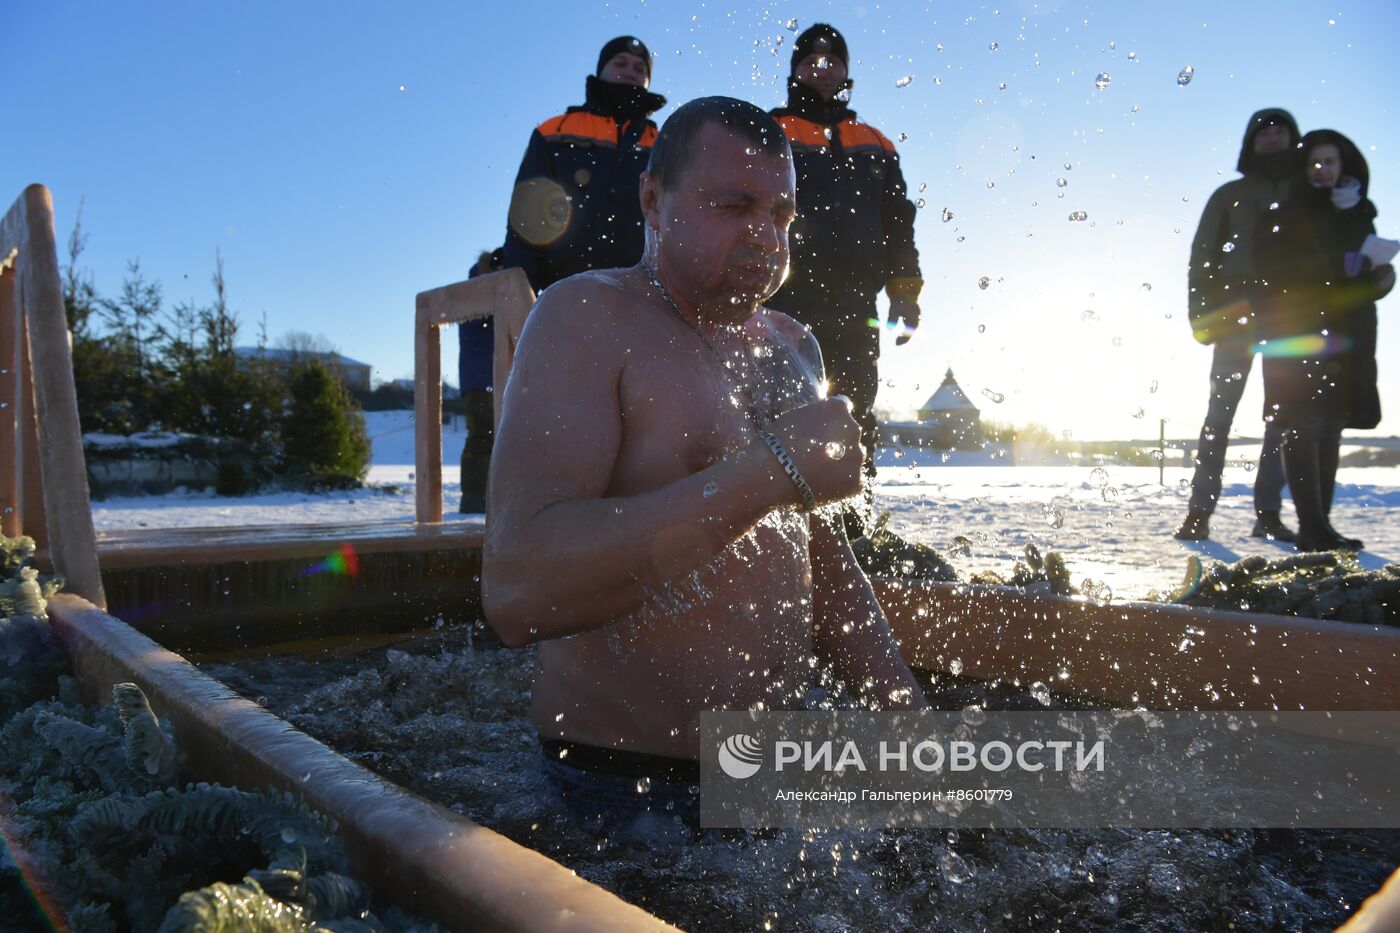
{"points": [[855, 229]]}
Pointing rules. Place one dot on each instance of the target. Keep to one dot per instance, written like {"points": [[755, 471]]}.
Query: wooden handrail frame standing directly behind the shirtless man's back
{"points": [[506, 296]]}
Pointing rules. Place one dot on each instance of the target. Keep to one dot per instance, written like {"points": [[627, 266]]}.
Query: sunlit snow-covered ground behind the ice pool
{"points": [[1114, 525]]}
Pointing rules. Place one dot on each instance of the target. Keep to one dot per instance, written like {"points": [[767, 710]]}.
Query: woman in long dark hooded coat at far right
{"points": [[1319, 326]]}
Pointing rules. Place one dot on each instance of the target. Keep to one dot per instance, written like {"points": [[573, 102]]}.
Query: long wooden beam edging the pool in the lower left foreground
{"points": [[414, 852]]}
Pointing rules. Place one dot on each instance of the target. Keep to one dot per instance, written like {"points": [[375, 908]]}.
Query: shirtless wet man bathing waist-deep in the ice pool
{"points": [[642, 532]]}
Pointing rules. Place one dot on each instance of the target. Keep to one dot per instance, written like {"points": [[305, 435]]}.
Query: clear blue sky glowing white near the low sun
{"points": [[345, 156]]}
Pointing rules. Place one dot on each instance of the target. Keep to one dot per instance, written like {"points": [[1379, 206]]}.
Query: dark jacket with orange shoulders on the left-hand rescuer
{"points": [[576, 207]]}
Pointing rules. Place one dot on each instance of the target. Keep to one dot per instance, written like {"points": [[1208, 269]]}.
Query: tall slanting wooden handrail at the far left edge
{"points": [[44, 488]]}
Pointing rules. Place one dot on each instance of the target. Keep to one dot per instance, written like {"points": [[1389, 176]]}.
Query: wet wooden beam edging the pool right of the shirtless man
{"points": [[1160, 656]]}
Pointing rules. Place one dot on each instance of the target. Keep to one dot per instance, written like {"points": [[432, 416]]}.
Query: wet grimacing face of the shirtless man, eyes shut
{"points": [[723, 233]]}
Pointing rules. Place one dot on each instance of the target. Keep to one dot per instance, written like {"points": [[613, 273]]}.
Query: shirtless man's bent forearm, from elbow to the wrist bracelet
{"points": [[577, 565]]}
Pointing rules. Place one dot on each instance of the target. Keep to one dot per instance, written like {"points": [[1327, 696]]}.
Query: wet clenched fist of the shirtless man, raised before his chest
{"points": [[825, 445]]}
